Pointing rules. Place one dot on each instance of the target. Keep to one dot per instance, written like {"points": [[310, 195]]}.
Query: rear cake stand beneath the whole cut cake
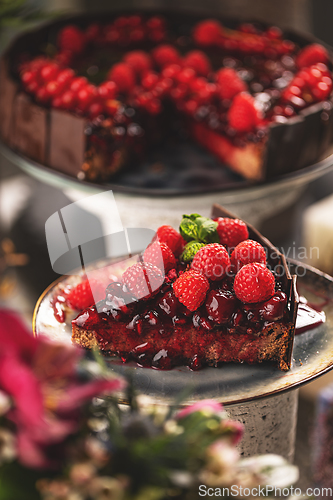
{"points": [[190, 181]]}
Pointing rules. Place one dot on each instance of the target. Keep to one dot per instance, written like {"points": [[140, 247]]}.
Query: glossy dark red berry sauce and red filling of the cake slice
{"points": [[159, 332]]}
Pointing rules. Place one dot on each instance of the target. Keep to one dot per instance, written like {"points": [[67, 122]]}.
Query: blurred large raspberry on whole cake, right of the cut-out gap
{"points": [[243, 115]]}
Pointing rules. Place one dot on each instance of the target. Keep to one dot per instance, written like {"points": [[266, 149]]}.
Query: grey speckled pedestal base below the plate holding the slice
{"points": [[270, 424]]}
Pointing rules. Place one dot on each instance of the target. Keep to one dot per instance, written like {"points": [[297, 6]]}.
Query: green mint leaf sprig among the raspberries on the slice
{"points": [[197, 231]]}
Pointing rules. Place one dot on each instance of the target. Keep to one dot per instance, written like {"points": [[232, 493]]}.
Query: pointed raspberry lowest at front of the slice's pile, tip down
{"points": [[191, 288]]}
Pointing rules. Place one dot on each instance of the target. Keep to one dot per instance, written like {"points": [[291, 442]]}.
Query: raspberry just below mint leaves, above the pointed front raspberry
{"points": [[212, 260]]}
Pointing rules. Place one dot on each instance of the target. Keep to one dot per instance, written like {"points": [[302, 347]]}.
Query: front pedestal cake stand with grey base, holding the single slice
{"points": [[262, 397]]}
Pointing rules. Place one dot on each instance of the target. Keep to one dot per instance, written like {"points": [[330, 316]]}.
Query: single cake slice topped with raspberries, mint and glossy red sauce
{"points": [[226, 296]]}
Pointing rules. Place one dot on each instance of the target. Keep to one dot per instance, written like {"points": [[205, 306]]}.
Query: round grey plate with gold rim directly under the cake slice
{"points": [[230, 383]]}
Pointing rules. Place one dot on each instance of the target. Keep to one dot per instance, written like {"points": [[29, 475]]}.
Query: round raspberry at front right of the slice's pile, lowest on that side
{"points": [[254, 283]]}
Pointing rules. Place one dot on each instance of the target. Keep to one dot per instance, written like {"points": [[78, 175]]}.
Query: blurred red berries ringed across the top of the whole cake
{"points": [[145, 79]]}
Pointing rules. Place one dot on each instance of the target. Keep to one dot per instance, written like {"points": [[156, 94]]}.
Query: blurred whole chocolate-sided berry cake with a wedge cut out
{"points": [[90, 97]]}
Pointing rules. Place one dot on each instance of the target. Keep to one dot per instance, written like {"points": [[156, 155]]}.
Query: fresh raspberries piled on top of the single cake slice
{"points": [[253, 281]]}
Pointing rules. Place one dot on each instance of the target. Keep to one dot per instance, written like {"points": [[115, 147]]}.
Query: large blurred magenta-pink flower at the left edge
{"points": [[40, 377]]}
